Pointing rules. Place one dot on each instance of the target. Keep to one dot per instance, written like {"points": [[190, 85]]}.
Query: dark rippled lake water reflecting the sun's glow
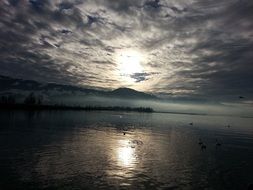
{"points": [[88, 150]]}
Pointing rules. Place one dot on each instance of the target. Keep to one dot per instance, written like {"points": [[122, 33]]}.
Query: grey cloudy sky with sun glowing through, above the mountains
{"points": [[183, 48]]}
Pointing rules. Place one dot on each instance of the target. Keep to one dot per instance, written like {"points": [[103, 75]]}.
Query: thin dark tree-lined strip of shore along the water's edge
{"points": [[73, 108]]}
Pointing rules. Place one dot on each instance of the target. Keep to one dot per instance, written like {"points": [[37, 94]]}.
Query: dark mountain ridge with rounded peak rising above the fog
{"points": [[21, 88]]}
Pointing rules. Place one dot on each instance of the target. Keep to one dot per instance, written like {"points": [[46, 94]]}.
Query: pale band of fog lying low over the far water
{"points": [[162, 105]]}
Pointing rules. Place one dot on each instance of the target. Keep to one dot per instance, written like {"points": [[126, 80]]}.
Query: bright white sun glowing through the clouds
{"points": [[129, 62]]}
